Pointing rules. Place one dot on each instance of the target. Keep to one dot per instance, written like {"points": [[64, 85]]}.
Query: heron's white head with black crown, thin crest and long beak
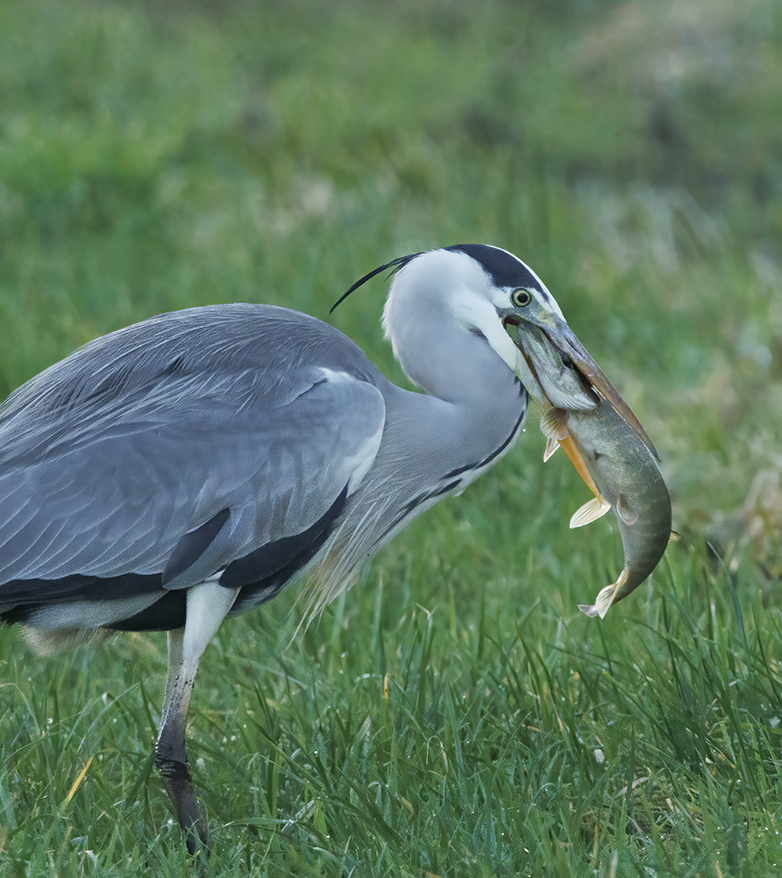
{"points": [[499, 300]]}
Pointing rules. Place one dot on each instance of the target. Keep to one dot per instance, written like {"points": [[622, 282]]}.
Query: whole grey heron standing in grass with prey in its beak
{"points": [[186, 468]]}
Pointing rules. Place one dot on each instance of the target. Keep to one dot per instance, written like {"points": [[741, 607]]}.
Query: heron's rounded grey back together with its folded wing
{"points": [[111, 458]]}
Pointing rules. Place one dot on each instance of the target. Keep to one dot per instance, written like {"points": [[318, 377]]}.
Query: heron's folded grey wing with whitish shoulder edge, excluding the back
{"points": [[185, 481]]}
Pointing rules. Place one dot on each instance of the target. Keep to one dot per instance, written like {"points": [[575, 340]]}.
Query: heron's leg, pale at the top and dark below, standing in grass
{"points": [[207, 605]]}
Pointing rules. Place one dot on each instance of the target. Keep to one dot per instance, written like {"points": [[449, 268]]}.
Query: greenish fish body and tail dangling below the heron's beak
{"points": [[622, 470]]}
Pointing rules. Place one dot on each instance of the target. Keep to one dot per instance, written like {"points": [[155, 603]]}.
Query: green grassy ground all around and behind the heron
{"points": [[454, 714]]}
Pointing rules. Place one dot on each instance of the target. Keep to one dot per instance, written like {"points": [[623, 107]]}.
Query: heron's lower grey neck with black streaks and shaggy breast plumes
{"points": [[432, 446]]}
